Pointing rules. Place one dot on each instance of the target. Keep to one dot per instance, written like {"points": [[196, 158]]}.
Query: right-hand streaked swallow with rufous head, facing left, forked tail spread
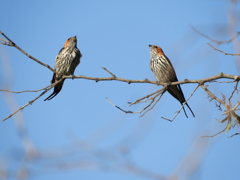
{"points": [[164, 72]]}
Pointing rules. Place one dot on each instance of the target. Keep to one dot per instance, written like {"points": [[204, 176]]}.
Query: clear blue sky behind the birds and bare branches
{"points": [[79, 128]]}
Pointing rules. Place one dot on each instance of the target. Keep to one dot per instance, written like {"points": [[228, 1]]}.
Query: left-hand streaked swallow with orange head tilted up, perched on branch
{"points": [[66, 62]]}
